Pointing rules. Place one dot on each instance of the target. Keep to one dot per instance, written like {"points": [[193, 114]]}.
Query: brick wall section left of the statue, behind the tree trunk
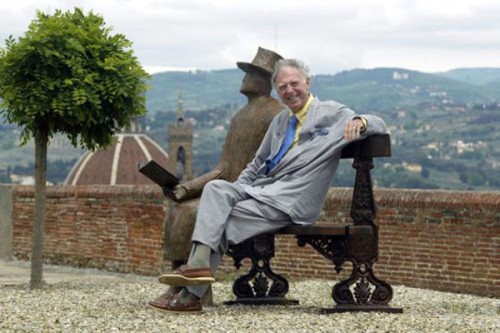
{"points": [[118, 228]]}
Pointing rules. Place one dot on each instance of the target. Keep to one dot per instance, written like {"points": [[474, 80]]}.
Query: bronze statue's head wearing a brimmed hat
{"points": [[257, 80]]}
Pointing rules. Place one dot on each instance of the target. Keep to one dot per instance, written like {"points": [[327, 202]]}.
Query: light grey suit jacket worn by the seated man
{"points": [[299, 183]]}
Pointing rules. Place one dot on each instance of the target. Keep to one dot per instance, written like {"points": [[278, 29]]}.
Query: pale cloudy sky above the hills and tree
{"points": [[329, 35]]}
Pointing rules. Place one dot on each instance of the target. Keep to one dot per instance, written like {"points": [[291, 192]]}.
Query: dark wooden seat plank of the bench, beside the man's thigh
{"points": [[319, 230]]}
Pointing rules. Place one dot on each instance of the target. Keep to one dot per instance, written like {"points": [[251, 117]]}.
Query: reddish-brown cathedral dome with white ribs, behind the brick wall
{"points": [[118, 164]]}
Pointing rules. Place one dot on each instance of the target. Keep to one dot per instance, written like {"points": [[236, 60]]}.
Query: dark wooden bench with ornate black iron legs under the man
{"points": [[356, 242]]}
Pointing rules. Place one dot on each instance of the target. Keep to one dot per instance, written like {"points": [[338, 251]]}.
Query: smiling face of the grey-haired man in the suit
{"points": [[293, 88]]}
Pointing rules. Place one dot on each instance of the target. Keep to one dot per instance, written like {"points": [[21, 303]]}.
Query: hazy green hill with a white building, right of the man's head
{"points": [[386, 88]]}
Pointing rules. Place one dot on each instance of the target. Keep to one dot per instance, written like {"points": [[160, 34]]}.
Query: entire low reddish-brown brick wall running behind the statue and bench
{"points": [[430, 239]]}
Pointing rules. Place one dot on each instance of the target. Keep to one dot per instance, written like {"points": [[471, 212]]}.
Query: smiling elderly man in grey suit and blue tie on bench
{"points": [[286, 182]]}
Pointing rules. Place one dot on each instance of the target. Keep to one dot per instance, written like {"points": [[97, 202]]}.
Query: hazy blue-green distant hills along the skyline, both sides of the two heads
{"points": [[362, 89]]}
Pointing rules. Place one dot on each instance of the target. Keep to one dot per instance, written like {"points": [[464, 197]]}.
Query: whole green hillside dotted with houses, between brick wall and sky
{"points": [[444, 126]]}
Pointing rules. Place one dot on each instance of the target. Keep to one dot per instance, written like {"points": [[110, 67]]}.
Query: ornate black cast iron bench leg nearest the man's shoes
{"points": [[255, 287]]}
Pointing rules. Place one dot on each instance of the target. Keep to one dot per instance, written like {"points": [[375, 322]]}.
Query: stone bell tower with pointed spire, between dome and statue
{"points": [[180, 145]]}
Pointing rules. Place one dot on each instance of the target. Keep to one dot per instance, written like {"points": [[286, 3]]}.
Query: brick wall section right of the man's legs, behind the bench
{"points": [[438, 240]]}
